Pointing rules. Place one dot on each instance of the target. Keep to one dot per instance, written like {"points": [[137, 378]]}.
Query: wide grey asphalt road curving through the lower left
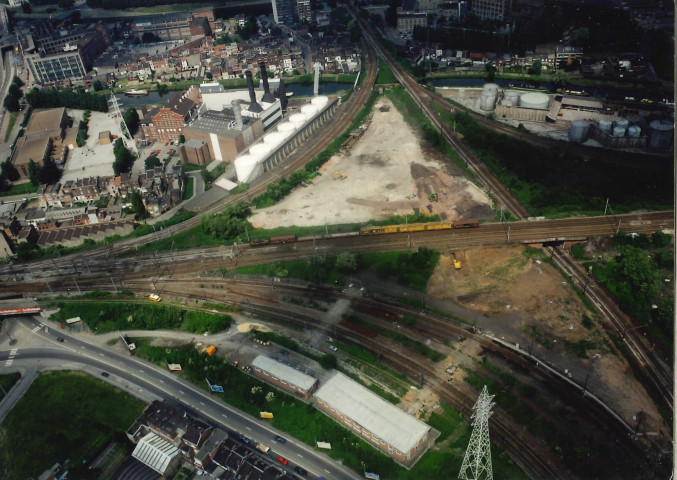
{"points": [[150, 382]]}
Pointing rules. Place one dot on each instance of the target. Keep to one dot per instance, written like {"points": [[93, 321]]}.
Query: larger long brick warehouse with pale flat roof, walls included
{"points": [[391, 430]]}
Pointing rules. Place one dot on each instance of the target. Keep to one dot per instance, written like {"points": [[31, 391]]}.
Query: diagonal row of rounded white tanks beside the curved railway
{"points": [[249, 165]]}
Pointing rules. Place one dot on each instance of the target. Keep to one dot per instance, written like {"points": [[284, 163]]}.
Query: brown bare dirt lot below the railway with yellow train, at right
{"points": [[522, 299]]}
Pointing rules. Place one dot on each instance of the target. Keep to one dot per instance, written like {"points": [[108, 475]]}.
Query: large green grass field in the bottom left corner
{"points": [[84, 414]]}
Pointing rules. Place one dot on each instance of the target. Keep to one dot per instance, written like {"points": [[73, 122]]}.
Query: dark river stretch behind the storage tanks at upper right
{"points": [[600, 92]]}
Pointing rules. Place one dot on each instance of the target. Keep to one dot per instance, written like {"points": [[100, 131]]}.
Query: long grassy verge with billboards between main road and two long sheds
{"points": [[308, 425]]}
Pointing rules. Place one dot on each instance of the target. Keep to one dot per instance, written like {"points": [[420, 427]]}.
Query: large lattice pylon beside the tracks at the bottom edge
{"points": [[477, 460]]}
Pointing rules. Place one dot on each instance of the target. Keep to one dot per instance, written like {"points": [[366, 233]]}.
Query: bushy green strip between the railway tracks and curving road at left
{"points": [[107, 316]]}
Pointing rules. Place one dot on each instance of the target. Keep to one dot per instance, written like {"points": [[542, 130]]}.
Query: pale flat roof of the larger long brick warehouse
{"points": [[371, 412]]}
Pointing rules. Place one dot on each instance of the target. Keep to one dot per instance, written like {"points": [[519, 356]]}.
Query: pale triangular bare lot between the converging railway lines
{"points": [[387, 172]]}
